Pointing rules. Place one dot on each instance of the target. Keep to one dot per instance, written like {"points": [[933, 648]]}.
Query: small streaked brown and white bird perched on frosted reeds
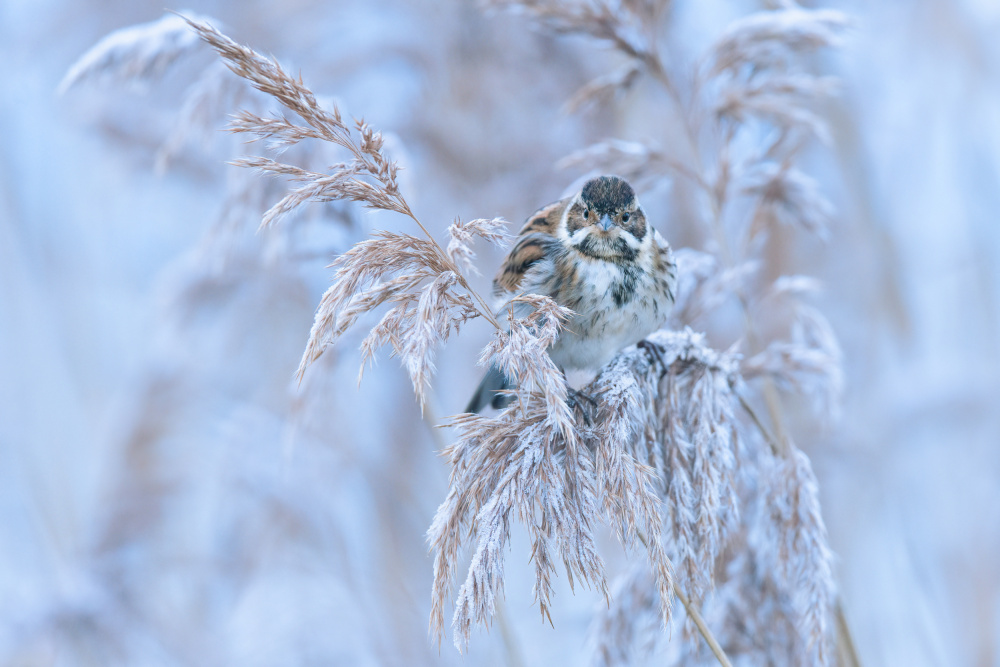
{"points": [[596, 254]]}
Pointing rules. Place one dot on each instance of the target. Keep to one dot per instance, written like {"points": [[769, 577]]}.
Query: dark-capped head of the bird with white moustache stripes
{"points": [[605, 220]]}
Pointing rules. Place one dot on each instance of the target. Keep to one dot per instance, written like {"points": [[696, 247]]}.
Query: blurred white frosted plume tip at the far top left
{"points": [[135, 54]]}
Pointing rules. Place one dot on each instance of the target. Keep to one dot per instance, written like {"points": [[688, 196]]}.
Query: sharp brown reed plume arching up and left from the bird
{"points": [[429, 295]]}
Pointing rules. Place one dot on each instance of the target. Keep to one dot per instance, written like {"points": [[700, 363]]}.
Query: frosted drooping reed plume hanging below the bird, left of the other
{"points": [[527, 460]]}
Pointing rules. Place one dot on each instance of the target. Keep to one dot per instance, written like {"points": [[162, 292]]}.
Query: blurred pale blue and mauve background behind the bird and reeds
{"points": [[167, 497]]}
